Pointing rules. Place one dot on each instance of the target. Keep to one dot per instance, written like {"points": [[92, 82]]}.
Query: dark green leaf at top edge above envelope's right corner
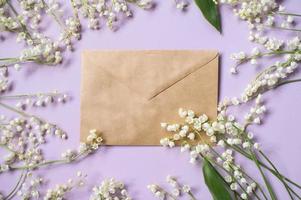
{"points": [[211, 12]]}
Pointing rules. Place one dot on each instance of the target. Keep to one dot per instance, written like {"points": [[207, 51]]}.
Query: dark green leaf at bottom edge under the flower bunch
{"points": [[215, 182]]}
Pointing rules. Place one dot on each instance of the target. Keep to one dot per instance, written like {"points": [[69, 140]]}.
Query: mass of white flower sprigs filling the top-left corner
{"points": [[25, 18]]}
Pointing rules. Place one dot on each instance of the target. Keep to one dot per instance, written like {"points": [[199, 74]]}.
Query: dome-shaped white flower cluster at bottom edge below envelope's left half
{"points": [[110, 189]]}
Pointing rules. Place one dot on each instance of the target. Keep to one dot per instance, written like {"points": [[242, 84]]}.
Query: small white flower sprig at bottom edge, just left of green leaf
{"points": [[177, 190]]}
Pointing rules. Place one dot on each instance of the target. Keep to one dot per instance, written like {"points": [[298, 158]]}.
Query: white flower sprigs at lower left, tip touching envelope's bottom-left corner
{"points": [[23, 139]]}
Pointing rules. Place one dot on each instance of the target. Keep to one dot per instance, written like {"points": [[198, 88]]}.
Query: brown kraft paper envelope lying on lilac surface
{"points": [[126, 94]]}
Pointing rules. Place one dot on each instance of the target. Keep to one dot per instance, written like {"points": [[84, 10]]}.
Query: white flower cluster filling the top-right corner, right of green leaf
{"points": [[260, 16]]}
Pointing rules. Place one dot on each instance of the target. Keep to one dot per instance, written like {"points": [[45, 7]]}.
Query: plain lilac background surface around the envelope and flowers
{"points": [[163, 28]]}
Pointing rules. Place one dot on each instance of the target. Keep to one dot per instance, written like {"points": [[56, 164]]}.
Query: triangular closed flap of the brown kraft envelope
{"points": [[148, 73]]}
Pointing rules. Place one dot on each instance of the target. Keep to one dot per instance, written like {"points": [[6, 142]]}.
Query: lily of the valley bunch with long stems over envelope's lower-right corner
{"points": [[228, 136]]}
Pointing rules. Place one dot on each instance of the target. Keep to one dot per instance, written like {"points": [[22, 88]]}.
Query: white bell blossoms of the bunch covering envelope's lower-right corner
{"points": [[217, 141]]}
